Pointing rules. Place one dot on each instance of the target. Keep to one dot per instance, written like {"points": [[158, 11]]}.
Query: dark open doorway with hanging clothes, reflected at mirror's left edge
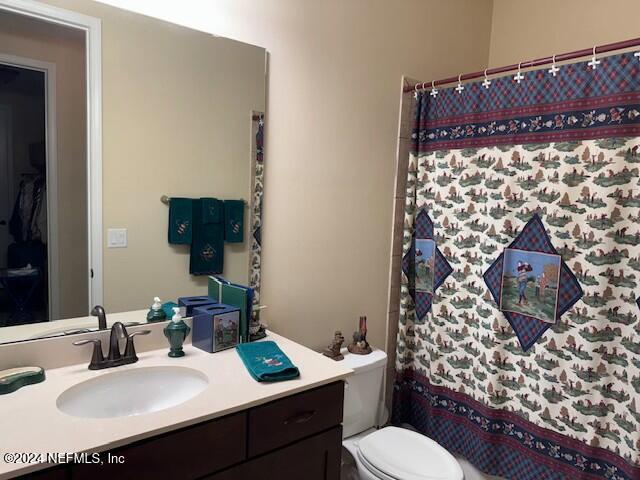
{"points": [[26, 273]]}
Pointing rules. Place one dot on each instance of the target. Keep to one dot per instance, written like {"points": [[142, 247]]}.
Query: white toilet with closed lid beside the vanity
{"points": [[389, 453]]}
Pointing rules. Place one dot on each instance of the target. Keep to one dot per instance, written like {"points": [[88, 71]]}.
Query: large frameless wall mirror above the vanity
{"points": [[106, 118]]}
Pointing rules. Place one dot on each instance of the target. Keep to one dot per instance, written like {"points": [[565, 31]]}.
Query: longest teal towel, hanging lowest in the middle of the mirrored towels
{"points": [[207, 247]]}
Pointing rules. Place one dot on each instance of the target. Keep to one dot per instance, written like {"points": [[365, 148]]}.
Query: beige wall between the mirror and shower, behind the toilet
{"points": [[331, 135]]}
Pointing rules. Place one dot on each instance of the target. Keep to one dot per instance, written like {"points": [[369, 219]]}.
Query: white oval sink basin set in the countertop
{"points": [[132, 392]]}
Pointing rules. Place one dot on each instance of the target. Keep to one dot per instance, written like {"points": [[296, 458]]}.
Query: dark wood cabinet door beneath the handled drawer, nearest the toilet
{"points": [[316, 458]]}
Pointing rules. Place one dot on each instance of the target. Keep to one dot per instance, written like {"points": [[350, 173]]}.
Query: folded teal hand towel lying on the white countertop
{"points": [[266, 362]]}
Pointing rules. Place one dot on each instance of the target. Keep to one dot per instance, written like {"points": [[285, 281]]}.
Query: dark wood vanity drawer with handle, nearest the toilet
{"points": [[292, 418]]}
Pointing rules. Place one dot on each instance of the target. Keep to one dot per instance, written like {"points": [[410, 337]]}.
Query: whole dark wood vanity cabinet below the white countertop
{"points": [[295, 437]]}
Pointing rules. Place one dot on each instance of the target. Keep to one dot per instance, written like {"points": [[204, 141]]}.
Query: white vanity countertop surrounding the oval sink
{"points": [[30, 422]]}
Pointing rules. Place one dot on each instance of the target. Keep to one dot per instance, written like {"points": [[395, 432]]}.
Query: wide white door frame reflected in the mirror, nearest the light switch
{"points": [[92, 27]]}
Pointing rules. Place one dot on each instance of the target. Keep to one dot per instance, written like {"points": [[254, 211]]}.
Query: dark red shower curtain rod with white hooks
{"points": [[531, 63]]}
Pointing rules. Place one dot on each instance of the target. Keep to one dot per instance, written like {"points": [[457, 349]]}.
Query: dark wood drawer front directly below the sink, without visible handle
{"points": [[186, 454]]}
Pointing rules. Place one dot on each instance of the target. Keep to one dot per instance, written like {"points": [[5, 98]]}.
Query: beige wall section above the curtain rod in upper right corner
{"points": [[524, 29]]}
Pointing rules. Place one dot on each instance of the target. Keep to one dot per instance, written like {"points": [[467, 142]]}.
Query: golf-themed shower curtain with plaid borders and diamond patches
{"points": [[519, 338]]}
